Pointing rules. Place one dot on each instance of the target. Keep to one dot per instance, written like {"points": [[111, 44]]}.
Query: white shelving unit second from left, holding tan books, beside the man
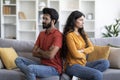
{"points": [[26, 28]]}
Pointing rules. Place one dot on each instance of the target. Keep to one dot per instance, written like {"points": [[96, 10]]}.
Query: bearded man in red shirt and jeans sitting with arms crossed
{"points": [[47, 48]]}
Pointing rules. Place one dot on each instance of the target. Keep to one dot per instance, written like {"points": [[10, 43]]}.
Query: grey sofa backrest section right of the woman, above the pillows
{"points": [[105, 41]]}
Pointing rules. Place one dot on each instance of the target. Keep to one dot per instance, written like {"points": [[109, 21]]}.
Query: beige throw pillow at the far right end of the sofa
{"points": [[114, 57]]}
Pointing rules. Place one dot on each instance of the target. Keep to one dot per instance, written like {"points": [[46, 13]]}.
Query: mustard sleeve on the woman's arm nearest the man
{"points": [[72, 47]]}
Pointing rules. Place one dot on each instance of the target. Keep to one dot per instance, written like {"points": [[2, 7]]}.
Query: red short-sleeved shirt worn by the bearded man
{"points": [[45, 41]]}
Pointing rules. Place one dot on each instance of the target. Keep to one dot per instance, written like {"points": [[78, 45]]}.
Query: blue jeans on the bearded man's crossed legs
{"points": [[33, 69]]}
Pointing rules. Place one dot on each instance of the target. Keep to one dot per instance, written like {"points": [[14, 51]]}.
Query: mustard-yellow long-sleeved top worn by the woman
{"points": [[75, 43]]}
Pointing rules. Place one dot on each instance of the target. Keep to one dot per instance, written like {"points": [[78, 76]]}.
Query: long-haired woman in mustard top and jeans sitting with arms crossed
{"points": [[77, 45]]}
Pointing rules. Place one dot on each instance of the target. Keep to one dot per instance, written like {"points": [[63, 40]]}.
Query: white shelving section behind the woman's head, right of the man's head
{"points": [[85, 6]]}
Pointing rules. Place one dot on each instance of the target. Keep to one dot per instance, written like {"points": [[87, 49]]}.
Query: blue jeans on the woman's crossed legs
{"points": [[92, 70]]}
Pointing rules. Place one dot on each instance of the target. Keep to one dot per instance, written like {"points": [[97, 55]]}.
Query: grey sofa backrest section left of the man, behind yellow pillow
{"points": [[23, 48]]}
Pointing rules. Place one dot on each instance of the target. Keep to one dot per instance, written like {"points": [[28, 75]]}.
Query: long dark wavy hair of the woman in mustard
{"points": [[69, 27]]}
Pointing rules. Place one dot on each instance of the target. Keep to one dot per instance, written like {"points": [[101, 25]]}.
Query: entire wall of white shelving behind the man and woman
{"points": [[24, 21]]}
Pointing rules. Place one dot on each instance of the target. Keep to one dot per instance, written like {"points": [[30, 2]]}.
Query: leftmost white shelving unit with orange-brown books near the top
{"points": [[8, 19]]}
